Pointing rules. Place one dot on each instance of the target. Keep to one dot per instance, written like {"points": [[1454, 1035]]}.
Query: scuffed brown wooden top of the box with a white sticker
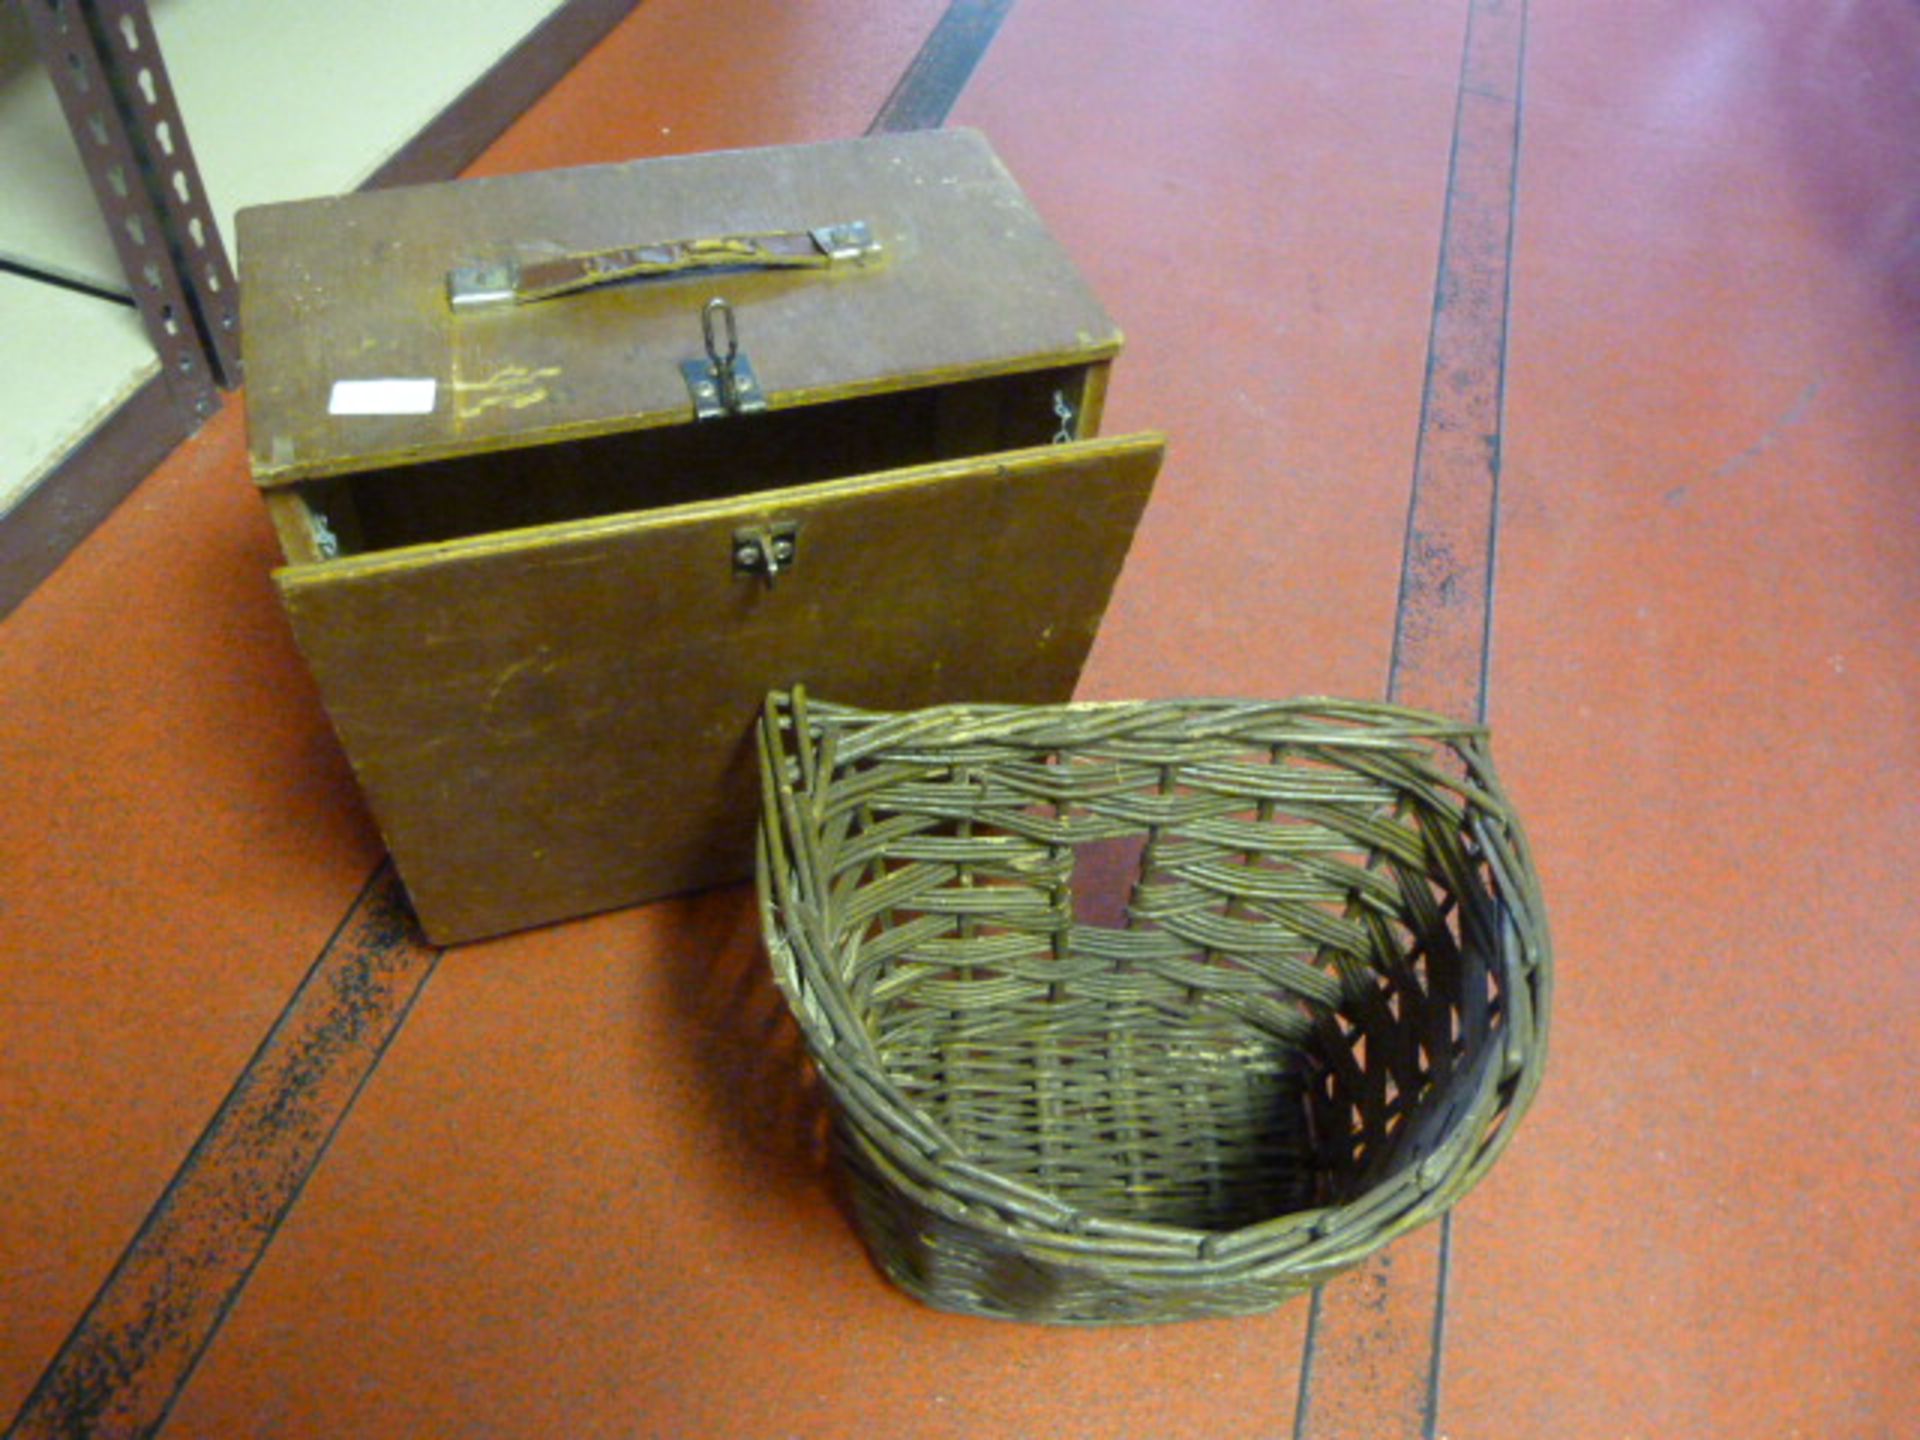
{"points": [[354, 289]]}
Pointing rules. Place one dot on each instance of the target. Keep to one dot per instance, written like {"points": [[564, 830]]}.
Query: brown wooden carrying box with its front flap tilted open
{"points": [[548, 548]]}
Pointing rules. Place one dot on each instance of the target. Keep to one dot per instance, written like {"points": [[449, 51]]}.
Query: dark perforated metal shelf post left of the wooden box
{"points": [[112, 85]]}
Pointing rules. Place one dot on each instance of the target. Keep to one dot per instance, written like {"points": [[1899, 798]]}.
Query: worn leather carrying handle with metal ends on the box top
{"points": [[525, 283]]}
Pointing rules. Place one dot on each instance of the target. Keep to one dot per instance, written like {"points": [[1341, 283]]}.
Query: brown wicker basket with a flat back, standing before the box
{"points": [[1312, 1030]]}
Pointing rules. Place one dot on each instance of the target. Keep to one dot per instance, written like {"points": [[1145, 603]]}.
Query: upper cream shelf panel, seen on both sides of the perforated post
{"points": [[283, 99]]}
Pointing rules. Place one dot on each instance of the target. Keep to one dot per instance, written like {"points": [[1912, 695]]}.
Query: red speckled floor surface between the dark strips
{"points": [[573, 1197]]}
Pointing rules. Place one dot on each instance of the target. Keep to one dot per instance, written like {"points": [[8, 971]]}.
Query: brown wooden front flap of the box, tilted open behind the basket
{"points": [[556, 721]]}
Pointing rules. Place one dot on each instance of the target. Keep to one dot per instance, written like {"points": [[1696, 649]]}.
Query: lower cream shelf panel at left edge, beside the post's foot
{"points": [[66, 364]]}
